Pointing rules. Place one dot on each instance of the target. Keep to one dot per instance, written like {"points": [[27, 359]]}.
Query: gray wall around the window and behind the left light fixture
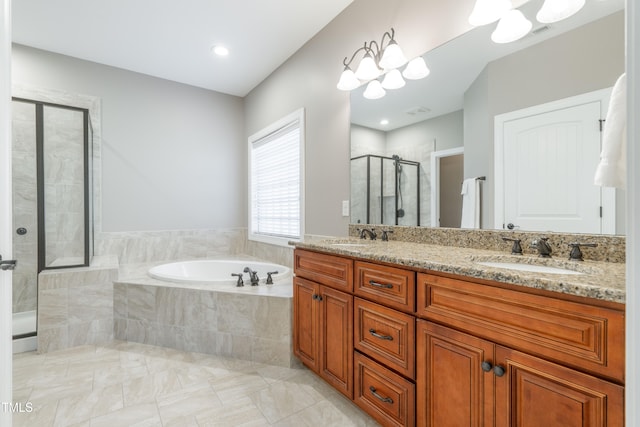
{"points": [[308, 79]]}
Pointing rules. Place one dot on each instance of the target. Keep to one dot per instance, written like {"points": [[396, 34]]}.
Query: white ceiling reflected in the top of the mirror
{"points": [[452, 73]]}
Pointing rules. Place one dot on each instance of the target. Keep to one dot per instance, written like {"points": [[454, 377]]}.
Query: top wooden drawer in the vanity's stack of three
{"points": [[390, 286]]}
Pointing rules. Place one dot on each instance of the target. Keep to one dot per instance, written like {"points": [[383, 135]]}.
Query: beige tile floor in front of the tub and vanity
{"points": [[130, 384]]}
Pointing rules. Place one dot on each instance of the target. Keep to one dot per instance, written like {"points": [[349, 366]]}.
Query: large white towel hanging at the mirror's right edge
{"points": [[612, 170]]}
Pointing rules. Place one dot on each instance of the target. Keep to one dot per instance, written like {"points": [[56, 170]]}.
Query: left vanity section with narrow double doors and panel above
{"points": [[323, 319]]}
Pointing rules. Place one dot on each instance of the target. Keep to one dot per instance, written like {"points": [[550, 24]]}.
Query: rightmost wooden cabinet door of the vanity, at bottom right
{"points": [[534, 392]]}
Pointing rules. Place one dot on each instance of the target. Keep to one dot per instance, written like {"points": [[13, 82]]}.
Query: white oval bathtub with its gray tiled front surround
{"points": [[195, 306]]}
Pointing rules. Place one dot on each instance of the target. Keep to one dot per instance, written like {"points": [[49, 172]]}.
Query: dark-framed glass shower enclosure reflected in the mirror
{"points": [[379, 186]]}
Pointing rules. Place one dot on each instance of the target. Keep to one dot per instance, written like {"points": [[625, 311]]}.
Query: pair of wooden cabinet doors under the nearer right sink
{"points": [[465, 380]]}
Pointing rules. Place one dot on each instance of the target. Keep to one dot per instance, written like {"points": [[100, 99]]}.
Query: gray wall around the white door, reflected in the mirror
{"points": [[580, 61]]}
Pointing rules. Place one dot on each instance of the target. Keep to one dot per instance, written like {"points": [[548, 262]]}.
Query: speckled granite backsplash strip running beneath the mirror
{"points": [[609, 249]]}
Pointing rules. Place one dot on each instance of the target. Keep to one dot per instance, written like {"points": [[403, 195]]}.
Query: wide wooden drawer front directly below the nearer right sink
{"points": [[574, 334]]}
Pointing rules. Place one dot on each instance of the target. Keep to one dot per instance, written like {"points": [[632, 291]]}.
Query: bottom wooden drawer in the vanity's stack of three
{"points": [[383, 394]]}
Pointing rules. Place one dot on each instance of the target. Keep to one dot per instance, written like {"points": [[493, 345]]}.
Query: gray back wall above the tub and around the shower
{"points": [[173, 154]]}
